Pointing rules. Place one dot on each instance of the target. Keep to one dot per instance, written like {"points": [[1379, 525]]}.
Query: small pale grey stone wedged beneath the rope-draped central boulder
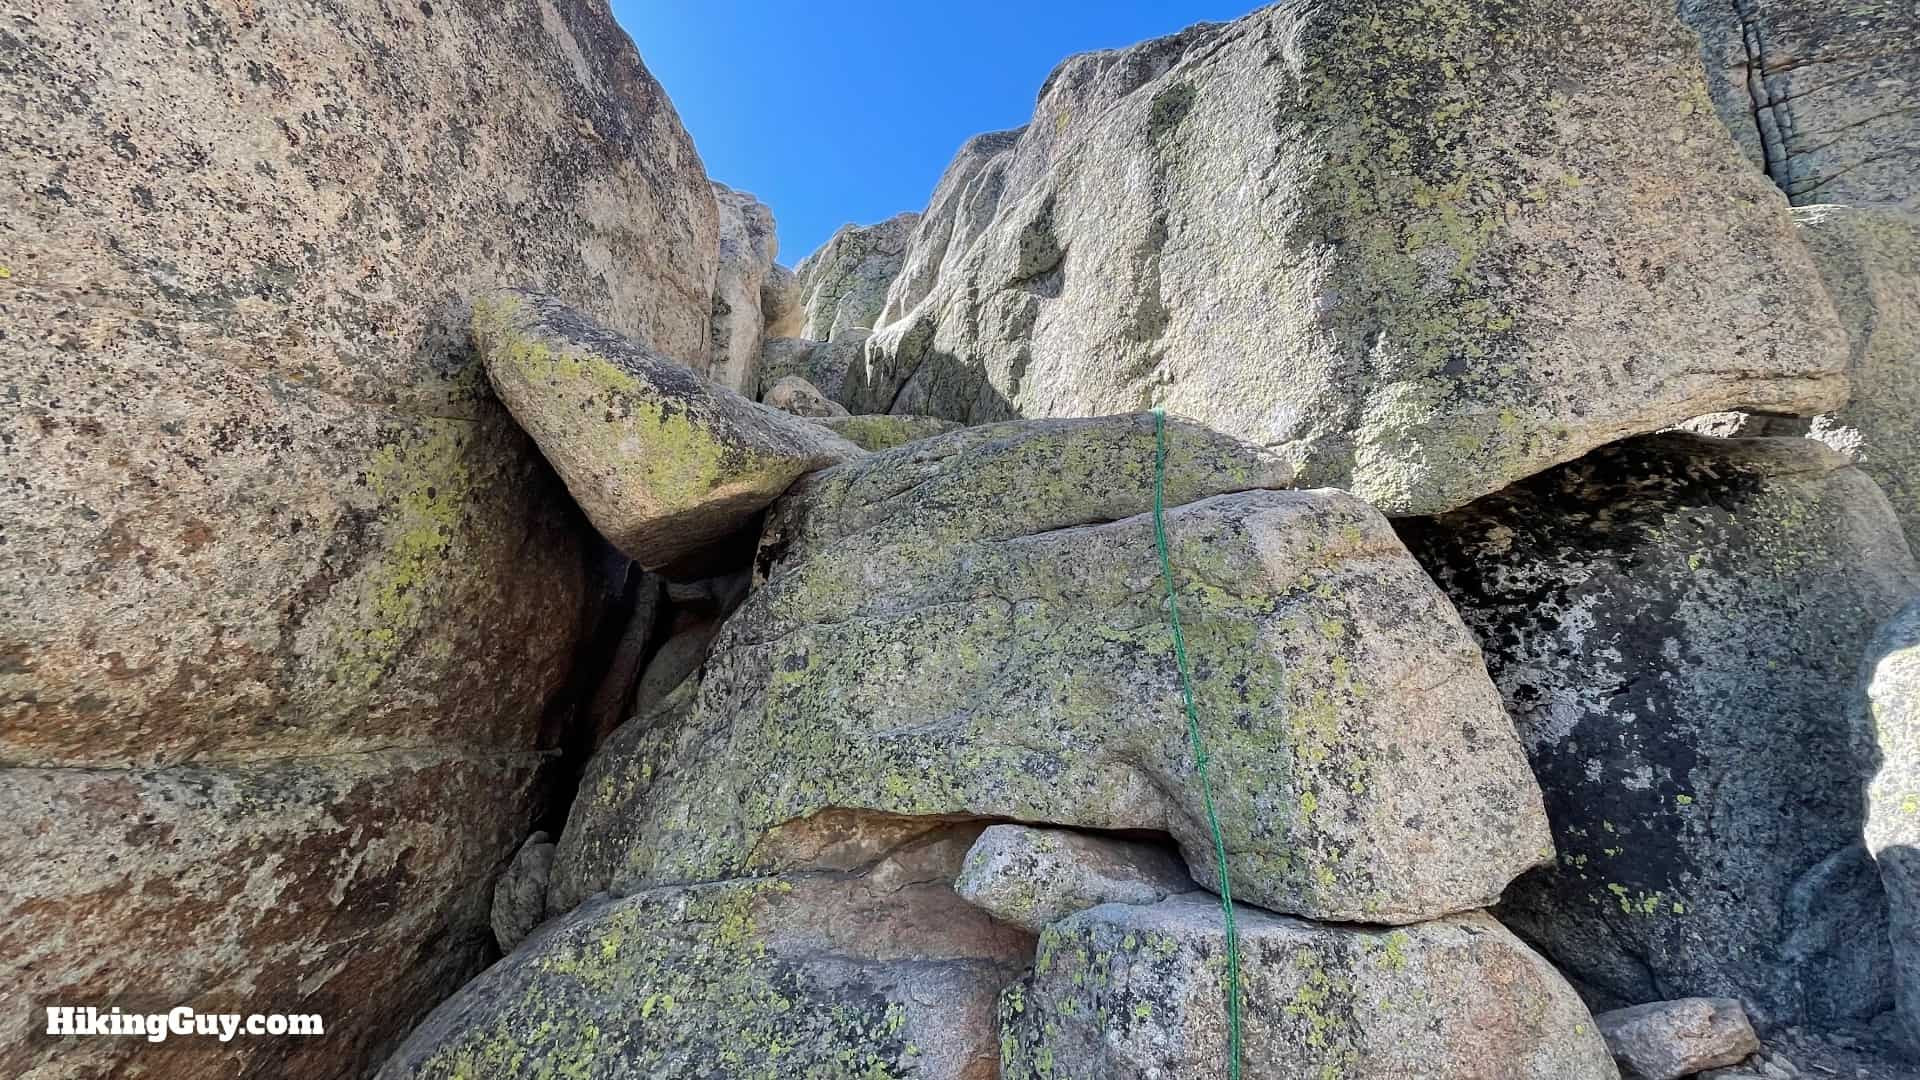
{"points": [[1032, 877]]}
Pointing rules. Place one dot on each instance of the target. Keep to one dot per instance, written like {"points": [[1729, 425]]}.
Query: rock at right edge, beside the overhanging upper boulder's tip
{"points": [[1871, 266]]}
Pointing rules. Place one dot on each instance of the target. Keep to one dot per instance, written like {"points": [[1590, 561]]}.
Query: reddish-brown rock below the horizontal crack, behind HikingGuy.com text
{"points": [[356, 887]]}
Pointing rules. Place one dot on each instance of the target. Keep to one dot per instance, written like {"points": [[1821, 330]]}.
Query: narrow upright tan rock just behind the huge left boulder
{"points": [[748, 251]]}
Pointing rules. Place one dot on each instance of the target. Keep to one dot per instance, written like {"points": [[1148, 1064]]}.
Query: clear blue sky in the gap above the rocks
{"points": [[848, 110]]}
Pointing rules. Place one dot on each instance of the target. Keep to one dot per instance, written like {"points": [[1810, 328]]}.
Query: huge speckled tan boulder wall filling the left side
{"points": [[264, 518]]}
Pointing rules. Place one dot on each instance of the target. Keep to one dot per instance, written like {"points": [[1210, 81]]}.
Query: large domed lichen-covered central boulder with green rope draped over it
{"points": [[972, 626]]}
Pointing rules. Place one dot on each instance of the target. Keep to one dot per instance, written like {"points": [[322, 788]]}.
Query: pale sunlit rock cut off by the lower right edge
{"points": [[1888, 714]]}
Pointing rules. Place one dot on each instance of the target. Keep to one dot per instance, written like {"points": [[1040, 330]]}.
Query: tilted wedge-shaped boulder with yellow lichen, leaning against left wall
{"points": [[660, 460]]}
